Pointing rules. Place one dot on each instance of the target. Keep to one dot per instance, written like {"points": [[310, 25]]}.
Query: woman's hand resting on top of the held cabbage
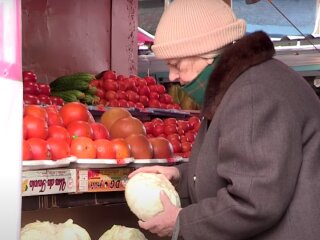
{"points": [[171, 173]]}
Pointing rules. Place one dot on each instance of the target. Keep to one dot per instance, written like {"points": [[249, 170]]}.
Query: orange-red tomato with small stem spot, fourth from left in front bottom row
{"points": [[83, 147]]}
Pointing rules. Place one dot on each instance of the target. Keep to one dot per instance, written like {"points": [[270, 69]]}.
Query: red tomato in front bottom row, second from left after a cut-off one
{"points": [[39, 149]]}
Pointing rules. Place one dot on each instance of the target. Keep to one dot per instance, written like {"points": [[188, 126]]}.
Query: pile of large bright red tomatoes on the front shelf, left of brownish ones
{"points": [[51, 132]]}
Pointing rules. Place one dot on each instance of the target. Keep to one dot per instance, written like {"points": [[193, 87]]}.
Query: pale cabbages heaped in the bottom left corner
{"points": [[50, 231]]}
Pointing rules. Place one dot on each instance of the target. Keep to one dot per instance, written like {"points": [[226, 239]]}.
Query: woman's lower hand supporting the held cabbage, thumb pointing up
{"points": [[164, 222]]}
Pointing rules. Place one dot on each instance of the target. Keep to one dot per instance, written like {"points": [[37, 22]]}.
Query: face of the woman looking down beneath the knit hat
{"points": [[186, 69]]}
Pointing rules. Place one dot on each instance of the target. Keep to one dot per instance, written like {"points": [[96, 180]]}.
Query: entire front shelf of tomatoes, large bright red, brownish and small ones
{"points": [[53, 133]]}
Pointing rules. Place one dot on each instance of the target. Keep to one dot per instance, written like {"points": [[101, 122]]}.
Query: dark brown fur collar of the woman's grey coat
{"points": [[250, 50]]}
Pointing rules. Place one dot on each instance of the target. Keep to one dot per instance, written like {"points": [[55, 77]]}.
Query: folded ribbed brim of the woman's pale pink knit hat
{"points": [[200, 44]]}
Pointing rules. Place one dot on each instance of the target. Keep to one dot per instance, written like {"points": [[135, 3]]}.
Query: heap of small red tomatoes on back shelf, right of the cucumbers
{"points": [[132, 91]]}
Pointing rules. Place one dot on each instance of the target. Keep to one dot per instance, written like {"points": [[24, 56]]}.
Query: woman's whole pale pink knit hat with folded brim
{"points": [[196, 27]]}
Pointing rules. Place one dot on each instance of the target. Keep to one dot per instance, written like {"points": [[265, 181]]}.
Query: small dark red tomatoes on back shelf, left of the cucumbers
{"points": [[38, 93]]}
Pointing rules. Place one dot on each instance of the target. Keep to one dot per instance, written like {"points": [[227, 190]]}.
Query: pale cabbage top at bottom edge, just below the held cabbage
{"points": [[118, 232]]}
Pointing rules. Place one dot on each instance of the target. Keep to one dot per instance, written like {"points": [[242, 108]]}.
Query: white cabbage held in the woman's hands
{"points": [[142, 194]]}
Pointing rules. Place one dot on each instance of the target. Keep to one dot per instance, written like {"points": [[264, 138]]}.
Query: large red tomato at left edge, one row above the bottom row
{"points": [[35, 127]]}
